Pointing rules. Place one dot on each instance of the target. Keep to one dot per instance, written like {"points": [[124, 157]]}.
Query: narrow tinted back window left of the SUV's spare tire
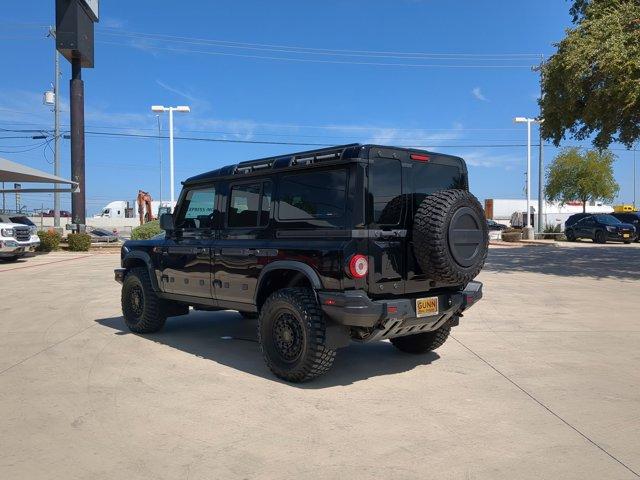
{"points": [[385, 190]]}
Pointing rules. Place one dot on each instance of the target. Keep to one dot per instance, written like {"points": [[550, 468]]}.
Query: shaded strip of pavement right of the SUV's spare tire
{"points": [[596, 261]]}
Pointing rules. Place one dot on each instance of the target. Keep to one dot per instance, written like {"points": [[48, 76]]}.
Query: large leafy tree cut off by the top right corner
{"points": [[591, 85]]}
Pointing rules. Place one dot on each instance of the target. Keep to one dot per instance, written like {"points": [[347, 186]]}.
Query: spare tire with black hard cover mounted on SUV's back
{"points": [[450, 237]]}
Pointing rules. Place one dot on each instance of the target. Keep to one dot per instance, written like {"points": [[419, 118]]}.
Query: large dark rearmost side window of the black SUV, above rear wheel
{"points": [[313, 195]]}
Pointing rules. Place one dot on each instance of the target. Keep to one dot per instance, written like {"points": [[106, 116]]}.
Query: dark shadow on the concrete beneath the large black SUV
{"points": [[228, 339]]}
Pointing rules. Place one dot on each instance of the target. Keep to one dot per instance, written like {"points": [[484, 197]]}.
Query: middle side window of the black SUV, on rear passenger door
{"points": [[250, 205]]}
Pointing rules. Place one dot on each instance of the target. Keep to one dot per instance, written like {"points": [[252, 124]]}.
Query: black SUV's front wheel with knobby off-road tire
{"points": [[148, 316]]}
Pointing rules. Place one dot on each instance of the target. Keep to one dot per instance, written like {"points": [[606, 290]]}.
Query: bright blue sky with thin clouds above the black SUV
{"points": [[355, 71]]}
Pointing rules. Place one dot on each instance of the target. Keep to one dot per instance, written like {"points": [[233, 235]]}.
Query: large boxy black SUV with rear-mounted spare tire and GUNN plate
{"points": [[356, 242]]}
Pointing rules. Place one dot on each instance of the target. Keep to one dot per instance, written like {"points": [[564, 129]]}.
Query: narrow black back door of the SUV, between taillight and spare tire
{"points": [[387, 237]]}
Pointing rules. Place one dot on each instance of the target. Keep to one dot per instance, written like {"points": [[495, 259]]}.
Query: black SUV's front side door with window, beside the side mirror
{"points": [[186, 256]]}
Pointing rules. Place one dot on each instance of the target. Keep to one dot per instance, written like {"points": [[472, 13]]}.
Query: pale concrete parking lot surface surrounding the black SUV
{"points": [[540, 380]]}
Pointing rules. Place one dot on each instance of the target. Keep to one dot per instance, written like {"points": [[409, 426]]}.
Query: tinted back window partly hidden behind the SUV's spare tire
{"points": [[429, 178]]}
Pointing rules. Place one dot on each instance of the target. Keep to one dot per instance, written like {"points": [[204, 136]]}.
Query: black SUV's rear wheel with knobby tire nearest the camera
{"points": [[305, 320]]}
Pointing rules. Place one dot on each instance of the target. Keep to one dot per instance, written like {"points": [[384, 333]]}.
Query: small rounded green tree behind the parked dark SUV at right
{"points": [[576, 176]]}
